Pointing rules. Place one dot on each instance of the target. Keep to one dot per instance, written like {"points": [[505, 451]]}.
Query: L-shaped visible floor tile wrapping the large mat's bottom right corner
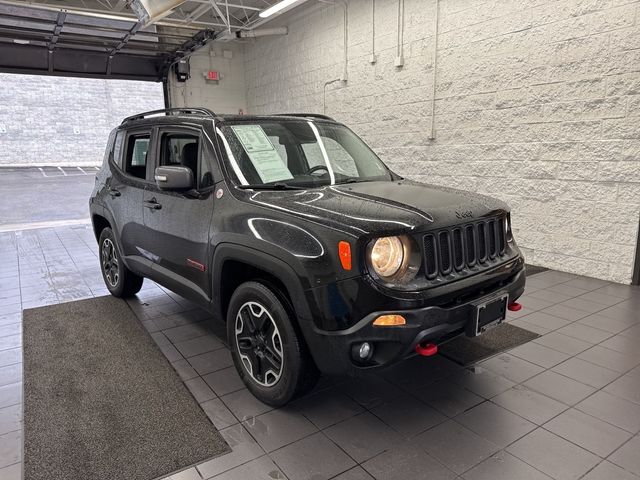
{"points": [[243, 449]]}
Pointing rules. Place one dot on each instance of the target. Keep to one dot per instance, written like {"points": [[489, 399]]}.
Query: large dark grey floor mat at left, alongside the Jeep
{"points": [[102, 402]]}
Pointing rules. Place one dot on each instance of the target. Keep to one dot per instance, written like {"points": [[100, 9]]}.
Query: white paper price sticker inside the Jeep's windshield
{"points": [[264, 157]]}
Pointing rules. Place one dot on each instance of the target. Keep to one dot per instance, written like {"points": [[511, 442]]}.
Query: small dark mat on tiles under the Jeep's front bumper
{"points": [[467, 351]]}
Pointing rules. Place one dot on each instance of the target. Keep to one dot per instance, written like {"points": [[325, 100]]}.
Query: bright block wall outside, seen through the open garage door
{"points": [[66, 121]]}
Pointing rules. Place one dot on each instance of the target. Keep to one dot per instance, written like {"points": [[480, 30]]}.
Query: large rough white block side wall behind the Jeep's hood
{"points": [[537, 103]]}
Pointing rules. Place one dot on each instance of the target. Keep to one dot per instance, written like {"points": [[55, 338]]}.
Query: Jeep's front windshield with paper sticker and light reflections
{"points": [[299, 153]]}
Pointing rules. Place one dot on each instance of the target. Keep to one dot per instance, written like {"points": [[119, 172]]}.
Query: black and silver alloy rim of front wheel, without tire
{"points": [[259, 344]]}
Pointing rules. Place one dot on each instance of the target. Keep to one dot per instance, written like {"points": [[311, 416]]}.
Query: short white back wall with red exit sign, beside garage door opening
{"points": [[228, 95]]}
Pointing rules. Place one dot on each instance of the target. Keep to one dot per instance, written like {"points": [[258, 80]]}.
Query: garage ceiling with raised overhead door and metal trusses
{"points": [[104, 39]]}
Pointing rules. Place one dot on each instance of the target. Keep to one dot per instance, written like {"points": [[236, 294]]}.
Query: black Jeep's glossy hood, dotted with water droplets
{"points": [[380, 207]]}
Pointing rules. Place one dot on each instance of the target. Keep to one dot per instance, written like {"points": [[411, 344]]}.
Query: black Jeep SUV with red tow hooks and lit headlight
{"points": [[289, 228]]}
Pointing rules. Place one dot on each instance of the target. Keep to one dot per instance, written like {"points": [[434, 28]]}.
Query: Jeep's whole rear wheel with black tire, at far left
{"points": [[120, 281]]}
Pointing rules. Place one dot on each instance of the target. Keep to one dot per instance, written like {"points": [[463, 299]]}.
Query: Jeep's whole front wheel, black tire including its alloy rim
{"points": [[254, 306]]}
